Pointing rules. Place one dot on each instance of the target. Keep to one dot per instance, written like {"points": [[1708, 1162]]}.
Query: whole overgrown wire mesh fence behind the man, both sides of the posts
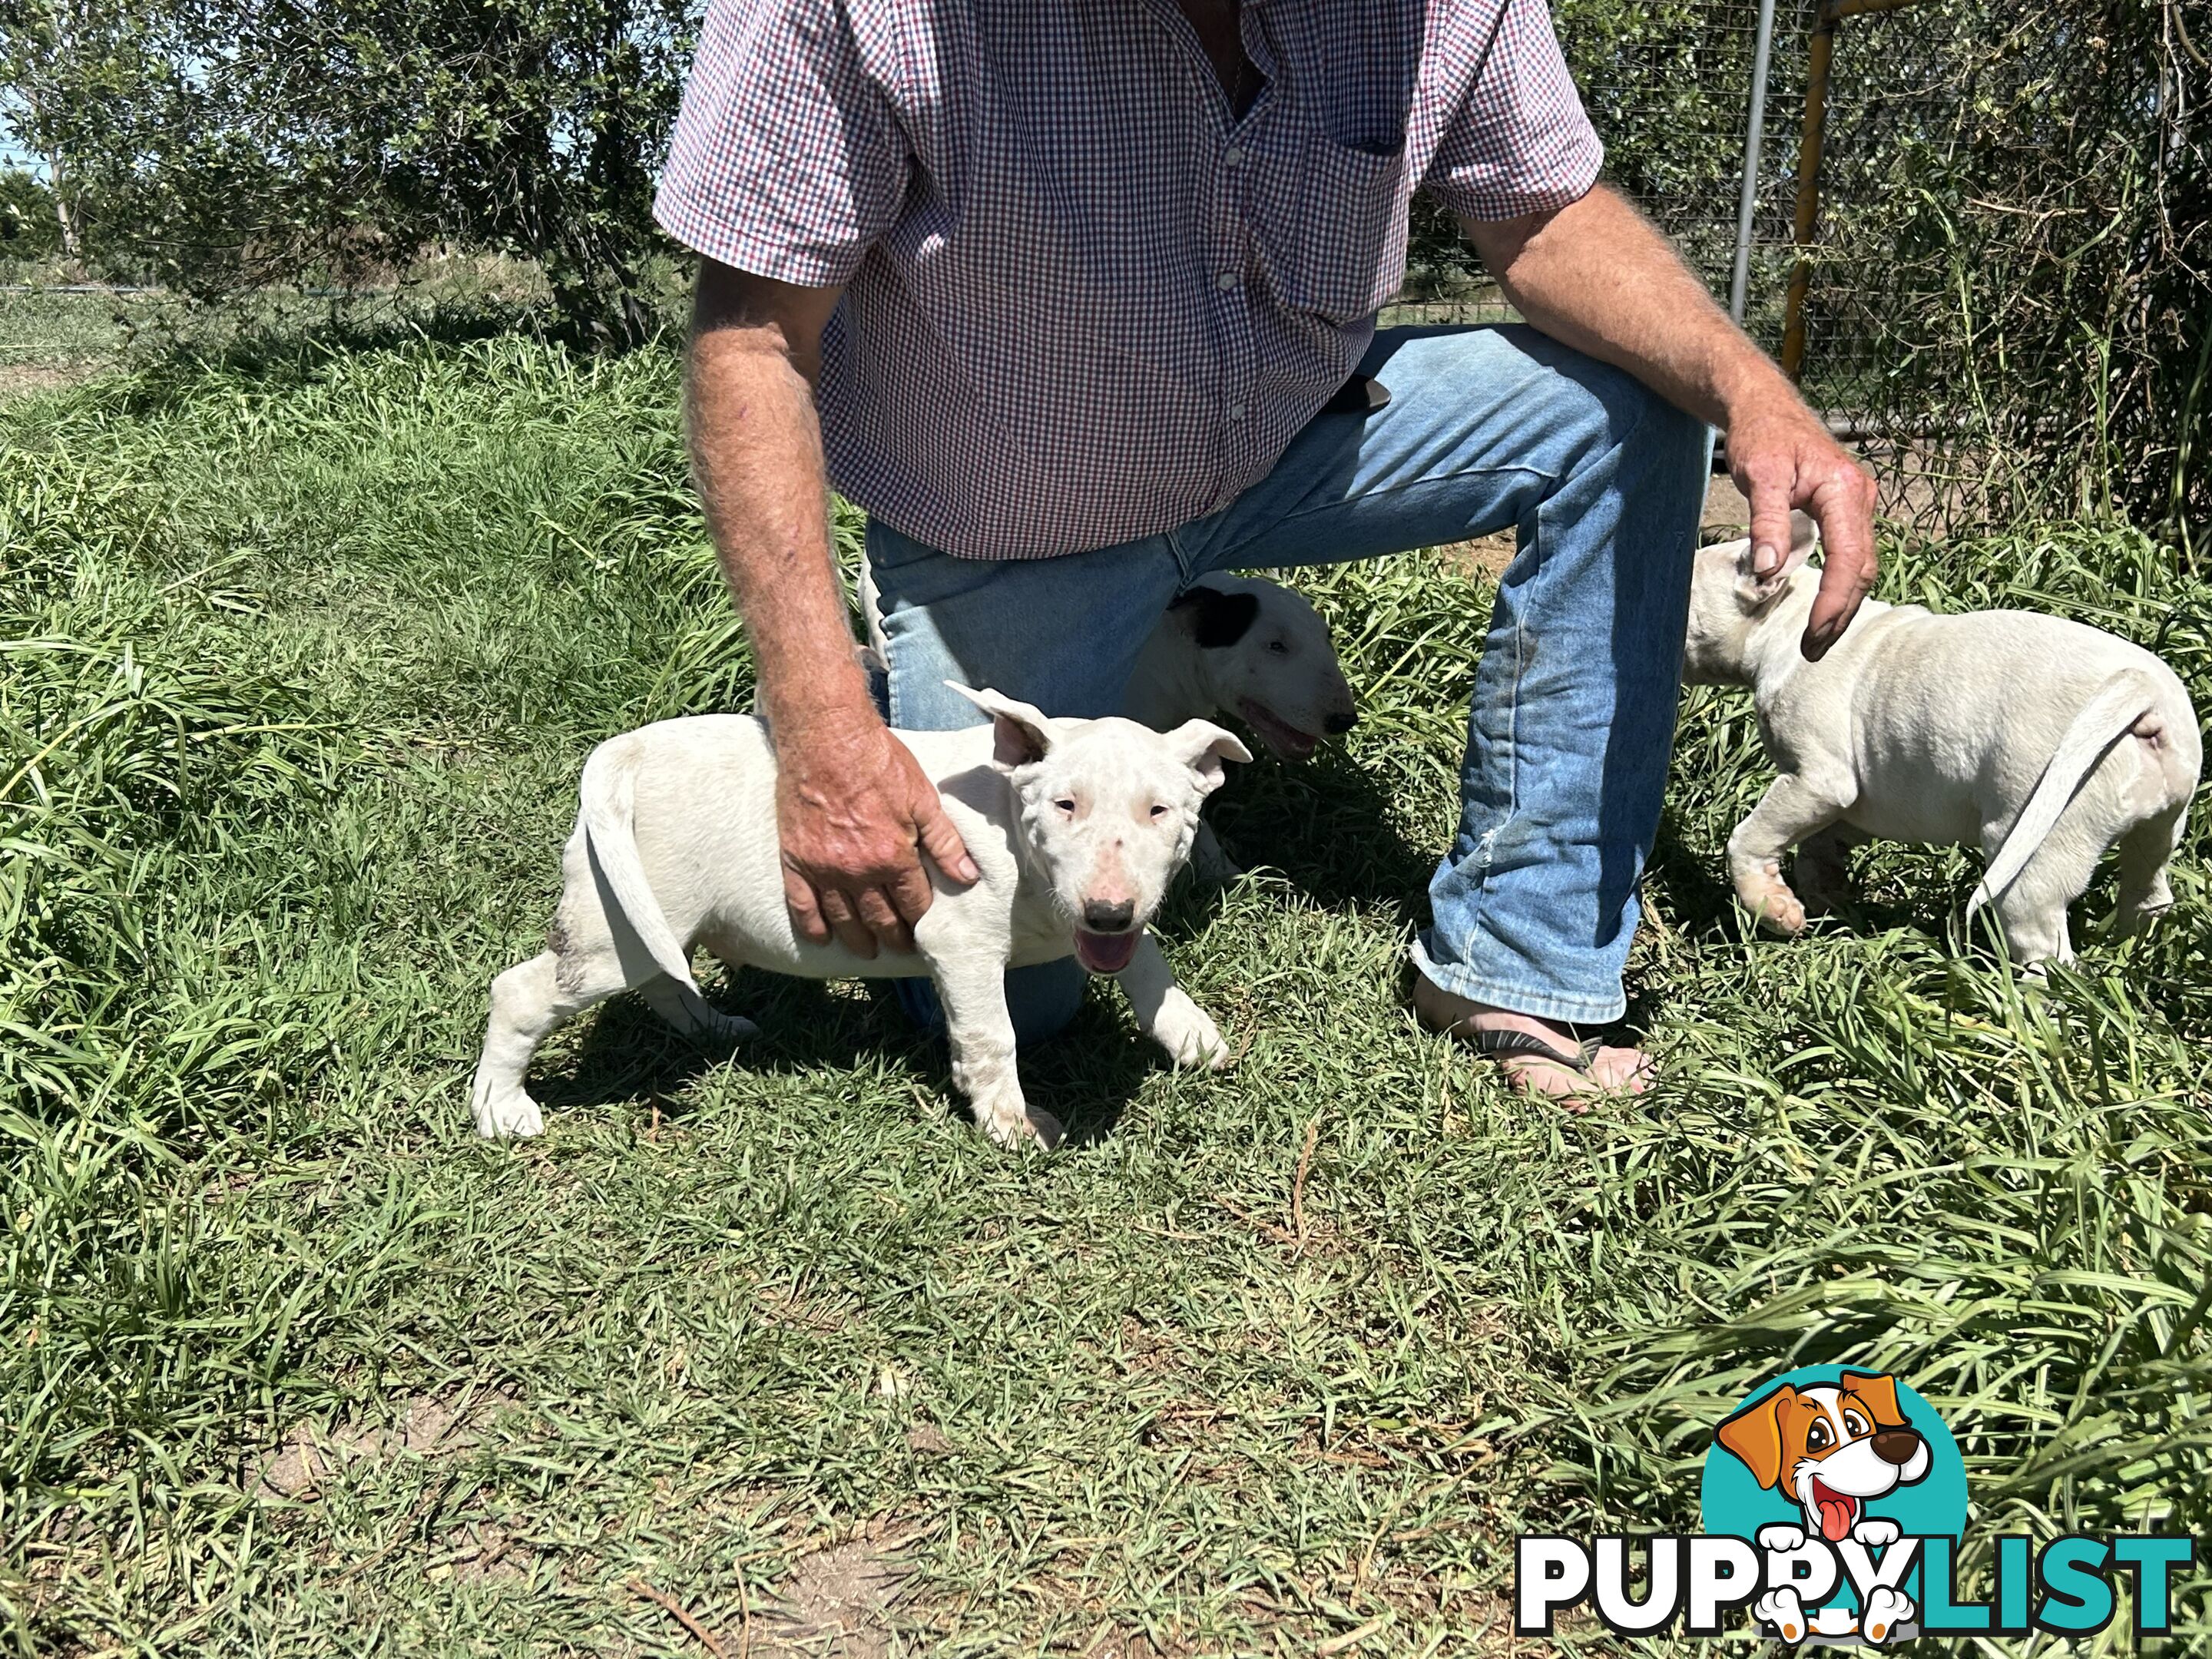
{"points": [[2007, 300]]}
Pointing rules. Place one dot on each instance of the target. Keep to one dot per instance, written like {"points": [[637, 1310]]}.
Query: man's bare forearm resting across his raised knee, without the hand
{"points": [[1636, 306]]}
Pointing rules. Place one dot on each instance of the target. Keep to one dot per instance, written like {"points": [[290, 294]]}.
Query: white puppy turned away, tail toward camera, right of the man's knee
{"points": [[2038, 740]]}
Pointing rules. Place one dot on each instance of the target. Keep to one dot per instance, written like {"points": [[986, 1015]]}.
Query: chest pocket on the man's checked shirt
{"points": [[1344, 255]]}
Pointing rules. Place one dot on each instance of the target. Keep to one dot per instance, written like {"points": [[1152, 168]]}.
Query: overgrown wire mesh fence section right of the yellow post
{"points": [[2010, 282]]}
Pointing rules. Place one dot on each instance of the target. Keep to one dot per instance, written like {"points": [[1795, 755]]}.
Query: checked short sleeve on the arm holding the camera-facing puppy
{"points": [[786, 158]]}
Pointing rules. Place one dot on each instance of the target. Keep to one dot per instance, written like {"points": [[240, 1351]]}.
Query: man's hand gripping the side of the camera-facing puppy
{"points": [[855, 813]]}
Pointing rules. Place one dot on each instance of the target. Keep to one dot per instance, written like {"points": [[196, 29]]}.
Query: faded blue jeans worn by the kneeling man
{"points": [[1567, 747]]}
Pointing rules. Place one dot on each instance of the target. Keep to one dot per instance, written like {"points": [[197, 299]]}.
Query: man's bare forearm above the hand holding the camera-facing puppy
{"points": [[760, 466]]}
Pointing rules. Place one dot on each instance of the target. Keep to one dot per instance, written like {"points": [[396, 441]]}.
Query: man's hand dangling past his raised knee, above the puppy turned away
{"points": [[1784, 457]]}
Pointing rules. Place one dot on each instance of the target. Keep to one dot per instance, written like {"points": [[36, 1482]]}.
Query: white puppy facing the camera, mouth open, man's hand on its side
{"points": [[1076, 826]]}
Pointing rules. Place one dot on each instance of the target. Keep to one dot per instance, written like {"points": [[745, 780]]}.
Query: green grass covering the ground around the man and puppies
{"points": [[300, 671]]}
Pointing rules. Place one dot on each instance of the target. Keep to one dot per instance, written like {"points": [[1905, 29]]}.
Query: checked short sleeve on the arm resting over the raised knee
{"points": [[1521, 140]]}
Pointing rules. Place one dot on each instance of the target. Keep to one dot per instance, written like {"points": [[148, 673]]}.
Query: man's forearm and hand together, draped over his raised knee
{"points": [[1598, 278]]}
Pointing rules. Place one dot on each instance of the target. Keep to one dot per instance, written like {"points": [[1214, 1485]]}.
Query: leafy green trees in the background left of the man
{"points": [[222, 145]]}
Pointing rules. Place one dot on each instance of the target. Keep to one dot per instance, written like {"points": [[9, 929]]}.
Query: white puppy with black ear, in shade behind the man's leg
{"points": [[1255, 649]]}
